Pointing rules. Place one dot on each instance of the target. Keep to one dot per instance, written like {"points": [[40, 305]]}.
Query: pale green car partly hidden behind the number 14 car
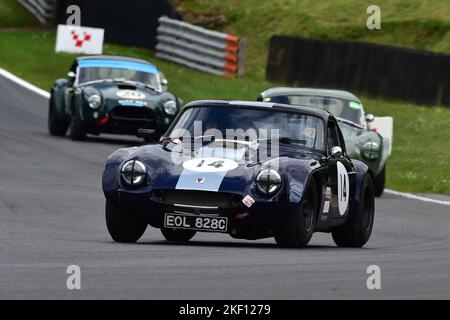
{"points": [[367, 138]]}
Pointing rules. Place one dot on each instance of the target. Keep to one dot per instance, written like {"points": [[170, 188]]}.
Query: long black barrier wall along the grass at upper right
{"points": [[382, 71]]}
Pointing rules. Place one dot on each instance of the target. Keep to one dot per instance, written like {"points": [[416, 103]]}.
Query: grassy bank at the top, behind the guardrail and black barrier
{"points": [[414, 24]]}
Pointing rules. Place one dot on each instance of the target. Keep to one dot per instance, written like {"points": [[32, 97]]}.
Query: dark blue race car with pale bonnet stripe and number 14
{"points": [[249, 169]]}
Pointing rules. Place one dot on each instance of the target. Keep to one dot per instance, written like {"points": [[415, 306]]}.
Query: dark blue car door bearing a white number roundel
{"points": [[339, 169]]}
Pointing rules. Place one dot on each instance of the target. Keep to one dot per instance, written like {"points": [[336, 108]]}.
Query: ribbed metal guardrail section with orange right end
{"points": [[199, 48]]}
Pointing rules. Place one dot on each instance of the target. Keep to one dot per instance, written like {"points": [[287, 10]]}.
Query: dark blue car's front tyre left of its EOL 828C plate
{"points": [[124, 225]]}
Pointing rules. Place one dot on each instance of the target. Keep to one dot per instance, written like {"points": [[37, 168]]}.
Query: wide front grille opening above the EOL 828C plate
{"points": [[198, 198]]}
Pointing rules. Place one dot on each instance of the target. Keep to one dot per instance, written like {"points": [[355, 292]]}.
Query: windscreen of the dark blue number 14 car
{"points": [[250, 124]]}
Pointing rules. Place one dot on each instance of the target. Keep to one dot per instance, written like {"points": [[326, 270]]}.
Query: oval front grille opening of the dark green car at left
{"points": [[133, 116]]}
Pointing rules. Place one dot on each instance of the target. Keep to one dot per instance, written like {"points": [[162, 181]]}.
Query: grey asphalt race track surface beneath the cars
{"points": [[52, 216]]}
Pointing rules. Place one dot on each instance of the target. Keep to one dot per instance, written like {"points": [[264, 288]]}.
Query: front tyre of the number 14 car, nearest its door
{"points": [[297, 229]]}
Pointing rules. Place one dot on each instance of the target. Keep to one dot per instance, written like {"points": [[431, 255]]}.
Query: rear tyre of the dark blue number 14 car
{"points": [[356, 231]]}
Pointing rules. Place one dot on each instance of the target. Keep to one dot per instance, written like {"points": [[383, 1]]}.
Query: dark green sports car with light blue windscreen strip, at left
{"points": [[111, 94]]}
